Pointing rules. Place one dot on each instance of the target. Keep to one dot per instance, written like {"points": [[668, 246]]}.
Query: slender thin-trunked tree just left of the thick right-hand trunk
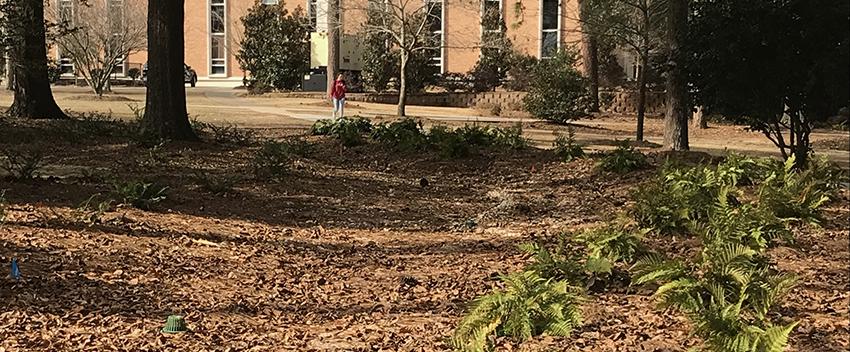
{"points": [[634, 24]]}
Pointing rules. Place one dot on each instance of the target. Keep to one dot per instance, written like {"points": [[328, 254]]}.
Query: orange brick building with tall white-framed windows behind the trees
{"points": [[212, 30]]}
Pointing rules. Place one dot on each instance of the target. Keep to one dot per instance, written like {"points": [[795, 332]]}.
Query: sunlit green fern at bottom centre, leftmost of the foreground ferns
{"points": [[528, 306]]}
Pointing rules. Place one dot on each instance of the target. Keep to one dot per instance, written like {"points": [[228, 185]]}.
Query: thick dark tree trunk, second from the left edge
{"points": [[165, 108]]}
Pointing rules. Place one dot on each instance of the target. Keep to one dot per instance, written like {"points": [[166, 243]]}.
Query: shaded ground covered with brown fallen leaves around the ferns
{"points": [[346, 253]]}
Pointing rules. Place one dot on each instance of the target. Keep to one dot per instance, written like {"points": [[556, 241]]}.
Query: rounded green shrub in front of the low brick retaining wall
{"points": [[558, 91]]}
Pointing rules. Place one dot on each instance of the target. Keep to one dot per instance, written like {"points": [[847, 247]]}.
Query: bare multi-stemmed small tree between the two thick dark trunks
{"points": [[98, 35]]}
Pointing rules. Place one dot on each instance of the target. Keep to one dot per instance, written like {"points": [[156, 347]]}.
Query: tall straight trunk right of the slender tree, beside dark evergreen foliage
{"points": [[676, 117]]}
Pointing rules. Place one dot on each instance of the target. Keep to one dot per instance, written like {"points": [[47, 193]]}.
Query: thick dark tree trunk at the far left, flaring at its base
{"points": [[33, 97]]}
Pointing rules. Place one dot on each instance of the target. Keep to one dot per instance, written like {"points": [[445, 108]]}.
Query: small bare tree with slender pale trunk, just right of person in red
{"points": [[407, 26]]}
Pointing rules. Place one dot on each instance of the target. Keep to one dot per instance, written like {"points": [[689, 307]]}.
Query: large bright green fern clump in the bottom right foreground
{"points": [[726, 295]]}
